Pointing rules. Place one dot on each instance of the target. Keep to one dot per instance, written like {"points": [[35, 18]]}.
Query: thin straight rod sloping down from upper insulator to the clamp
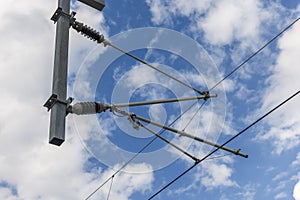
{"points": [[155, 68]]}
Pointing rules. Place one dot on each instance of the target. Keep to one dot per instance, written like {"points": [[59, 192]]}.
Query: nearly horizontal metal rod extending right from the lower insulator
{"points": [[162, 101]]}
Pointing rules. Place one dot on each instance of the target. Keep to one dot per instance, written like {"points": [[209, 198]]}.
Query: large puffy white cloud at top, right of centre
{"points": [[242, 26]]}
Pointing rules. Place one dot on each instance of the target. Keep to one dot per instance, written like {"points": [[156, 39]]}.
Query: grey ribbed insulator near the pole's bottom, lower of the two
{"points": [[85, 108]]}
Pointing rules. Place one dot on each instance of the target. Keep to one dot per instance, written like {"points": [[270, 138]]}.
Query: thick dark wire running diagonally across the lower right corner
{"points": [[232, 138]]}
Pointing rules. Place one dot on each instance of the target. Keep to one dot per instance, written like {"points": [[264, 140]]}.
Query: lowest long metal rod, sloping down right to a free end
{"points": [[182, 133]]}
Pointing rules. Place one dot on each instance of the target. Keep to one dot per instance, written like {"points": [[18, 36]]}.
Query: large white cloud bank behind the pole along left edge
{"points": [[31, 167]]}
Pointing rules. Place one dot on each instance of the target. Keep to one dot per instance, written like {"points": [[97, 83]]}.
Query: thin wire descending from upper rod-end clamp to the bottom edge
{"points": [[141, 150]]}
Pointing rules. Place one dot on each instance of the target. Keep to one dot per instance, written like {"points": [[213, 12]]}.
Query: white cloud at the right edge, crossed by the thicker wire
{"points": [[284, 124]]}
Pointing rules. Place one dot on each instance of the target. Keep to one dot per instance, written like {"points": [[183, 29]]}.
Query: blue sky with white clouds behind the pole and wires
{"points": [[199, 43]]}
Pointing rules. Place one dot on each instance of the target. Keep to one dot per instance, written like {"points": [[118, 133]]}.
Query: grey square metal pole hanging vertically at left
{"points": [[59, 86]]}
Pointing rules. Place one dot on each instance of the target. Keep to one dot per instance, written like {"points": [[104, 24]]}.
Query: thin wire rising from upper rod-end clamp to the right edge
{"points": [[254, 54]]}
